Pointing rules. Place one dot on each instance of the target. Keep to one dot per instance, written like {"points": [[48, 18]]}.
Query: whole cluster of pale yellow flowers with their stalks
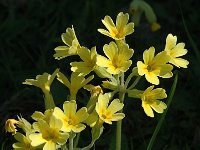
{"points": [[52, 129]]}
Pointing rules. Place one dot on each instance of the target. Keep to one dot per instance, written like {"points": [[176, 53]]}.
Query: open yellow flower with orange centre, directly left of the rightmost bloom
{"points": [[154, 67]]}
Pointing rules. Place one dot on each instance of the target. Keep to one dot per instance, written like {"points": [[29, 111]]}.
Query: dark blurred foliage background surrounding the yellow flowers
{"points": [[31, 29]]}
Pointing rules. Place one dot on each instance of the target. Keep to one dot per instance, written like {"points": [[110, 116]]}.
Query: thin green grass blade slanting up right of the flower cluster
{"points": [[159, 125]]}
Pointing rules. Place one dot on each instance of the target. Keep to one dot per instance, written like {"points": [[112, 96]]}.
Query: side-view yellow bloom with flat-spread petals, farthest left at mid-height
{"points": [[43, 81]]}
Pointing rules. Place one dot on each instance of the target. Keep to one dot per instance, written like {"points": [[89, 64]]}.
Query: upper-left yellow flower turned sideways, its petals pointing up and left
{"points": [[72, 45]]}
